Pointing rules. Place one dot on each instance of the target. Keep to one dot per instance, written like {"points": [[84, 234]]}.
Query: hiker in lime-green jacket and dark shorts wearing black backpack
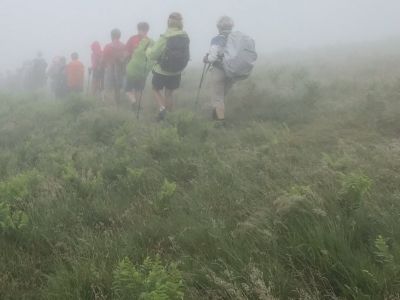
{"points": [[171, 54]]}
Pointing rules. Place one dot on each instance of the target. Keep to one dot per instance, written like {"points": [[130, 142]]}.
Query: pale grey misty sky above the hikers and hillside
{"points": [[59, 27]]}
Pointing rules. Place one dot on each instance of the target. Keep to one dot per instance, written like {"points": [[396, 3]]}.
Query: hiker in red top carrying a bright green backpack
{"points": [[138, 67]]}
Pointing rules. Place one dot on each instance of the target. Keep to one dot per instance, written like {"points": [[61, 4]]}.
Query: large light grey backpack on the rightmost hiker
{"points": [[239, 55]]}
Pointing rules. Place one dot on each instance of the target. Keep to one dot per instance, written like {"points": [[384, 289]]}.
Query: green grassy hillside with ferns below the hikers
{"points": [[297, 196]]}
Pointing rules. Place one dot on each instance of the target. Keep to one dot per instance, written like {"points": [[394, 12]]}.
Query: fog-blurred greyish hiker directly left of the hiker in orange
{"points": [[58, 76]]}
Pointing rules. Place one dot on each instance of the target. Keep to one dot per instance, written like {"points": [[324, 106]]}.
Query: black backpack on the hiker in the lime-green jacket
{"points": [[176, 54]]}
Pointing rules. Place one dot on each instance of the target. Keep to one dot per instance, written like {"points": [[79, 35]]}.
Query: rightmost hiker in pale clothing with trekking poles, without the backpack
{"points": [[221, 84]]}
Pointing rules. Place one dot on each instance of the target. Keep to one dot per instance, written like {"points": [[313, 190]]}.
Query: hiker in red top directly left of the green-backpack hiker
{"points": [[114, 56]]}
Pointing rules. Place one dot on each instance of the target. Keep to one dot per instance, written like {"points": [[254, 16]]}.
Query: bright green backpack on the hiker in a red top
{"points": [[139, 66]]}
